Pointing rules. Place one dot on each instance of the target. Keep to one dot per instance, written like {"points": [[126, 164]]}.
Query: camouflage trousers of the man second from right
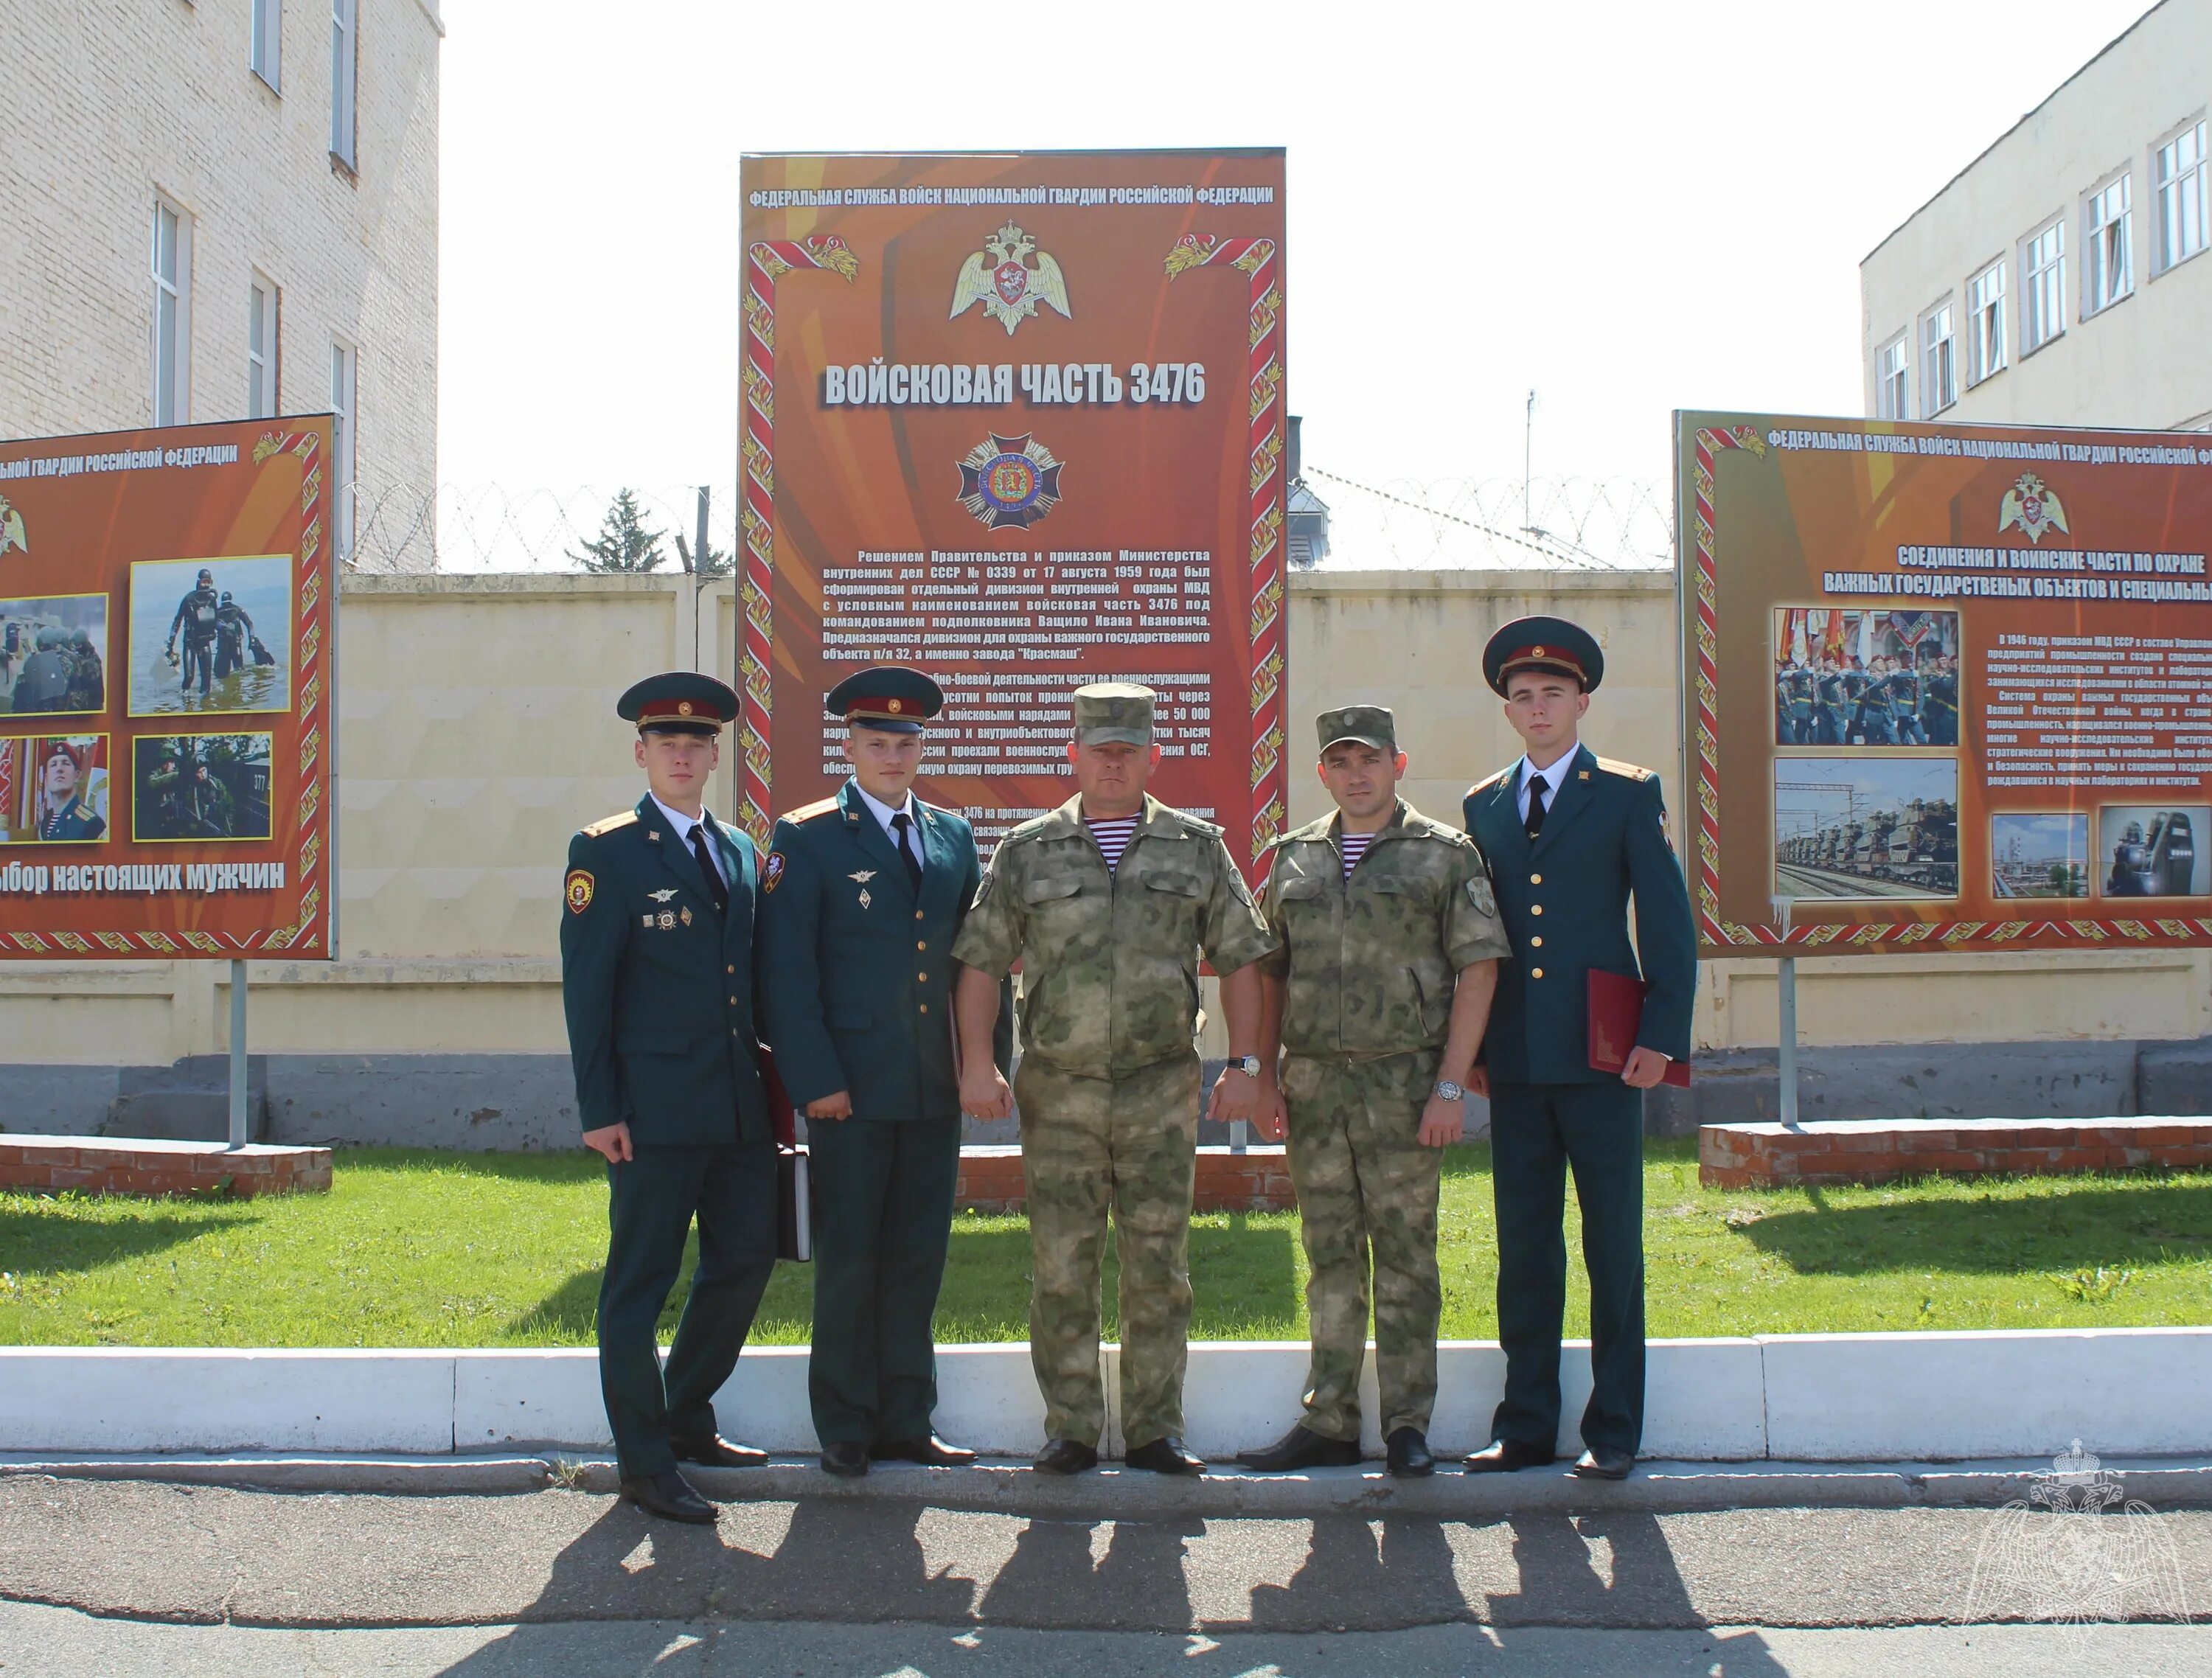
{"points": [[1366, 1184]]}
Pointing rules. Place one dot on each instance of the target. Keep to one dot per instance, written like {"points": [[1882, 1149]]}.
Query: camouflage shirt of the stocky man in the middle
{"points": [[1112, 961]]}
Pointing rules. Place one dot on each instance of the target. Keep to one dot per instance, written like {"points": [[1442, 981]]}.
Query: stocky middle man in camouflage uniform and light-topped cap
{"points": [[1107, 903]]}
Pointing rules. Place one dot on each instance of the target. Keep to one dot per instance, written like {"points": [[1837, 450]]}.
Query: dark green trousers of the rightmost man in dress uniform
{"points": [[1538, 1131]]}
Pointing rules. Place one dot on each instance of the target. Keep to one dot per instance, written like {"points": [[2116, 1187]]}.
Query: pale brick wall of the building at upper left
{"points": [[107, 105]]}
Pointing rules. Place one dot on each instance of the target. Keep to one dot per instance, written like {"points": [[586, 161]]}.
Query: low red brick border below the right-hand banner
{"points": [[1835, 1151]]}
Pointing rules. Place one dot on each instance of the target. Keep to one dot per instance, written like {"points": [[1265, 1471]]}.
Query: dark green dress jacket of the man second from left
{"points": [[857, 972]]}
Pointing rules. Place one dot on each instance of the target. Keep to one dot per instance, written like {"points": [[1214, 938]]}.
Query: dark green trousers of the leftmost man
{"points": [[651, 1208]]}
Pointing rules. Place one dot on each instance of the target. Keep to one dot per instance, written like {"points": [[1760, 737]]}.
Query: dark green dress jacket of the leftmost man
{"points": [[658, 989]]}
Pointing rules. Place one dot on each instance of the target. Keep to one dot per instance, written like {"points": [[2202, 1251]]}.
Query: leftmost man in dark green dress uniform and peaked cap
{"points": [[656, 950]]}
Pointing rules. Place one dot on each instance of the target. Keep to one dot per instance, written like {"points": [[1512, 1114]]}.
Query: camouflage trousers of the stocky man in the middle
{"points": [[1123, 1146]]}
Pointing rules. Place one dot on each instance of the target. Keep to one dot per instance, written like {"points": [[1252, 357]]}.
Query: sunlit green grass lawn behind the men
{"points": [[503, 1250]]}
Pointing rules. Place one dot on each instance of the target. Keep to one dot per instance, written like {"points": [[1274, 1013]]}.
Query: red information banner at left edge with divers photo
{"points": [[167, 640]]}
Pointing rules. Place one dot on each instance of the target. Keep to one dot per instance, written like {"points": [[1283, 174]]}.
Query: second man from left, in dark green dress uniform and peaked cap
{"points": [[862, 896]]}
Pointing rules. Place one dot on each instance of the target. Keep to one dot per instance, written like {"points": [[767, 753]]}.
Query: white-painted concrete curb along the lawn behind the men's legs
{"points": [[1775, 1398]]}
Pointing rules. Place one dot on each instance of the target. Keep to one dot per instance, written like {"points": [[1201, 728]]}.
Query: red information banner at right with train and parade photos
{"points": [[1950, 686]]}
